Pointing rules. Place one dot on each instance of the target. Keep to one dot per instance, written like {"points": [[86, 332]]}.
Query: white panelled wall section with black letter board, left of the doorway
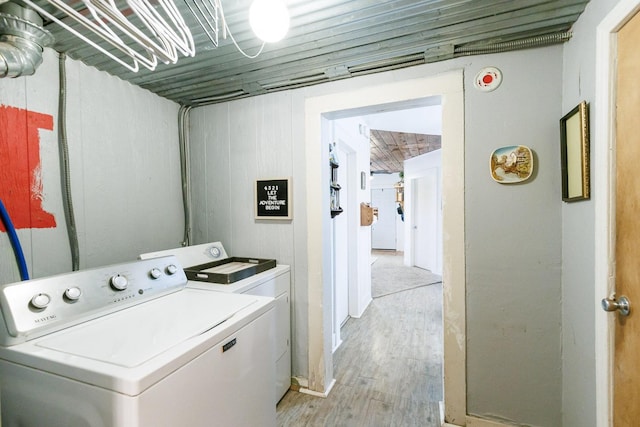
{"points": [[232, 145]]}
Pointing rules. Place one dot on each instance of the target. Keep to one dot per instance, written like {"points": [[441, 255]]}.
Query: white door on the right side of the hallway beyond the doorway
{"points": [[425, 221]]}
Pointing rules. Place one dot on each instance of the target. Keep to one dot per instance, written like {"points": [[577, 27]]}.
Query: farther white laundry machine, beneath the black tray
{"points": [[274, 282]]}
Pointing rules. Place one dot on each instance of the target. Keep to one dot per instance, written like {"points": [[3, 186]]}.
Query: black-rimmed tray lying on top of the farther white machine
{"points": [[228, 270]]}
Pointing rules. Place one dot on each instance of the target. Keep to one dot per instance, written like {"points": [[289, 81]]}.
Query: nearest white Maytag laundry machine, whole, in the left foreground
{"points": [[130, 345]]}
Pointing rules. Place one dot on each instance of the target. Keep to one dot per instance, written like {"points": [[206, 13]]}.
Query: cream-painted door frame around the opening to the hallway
{"points": [[319, 112]]}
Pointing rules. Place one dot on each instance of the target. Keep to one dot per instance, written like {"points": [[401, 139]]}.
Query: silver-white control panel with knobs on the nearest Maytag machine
{"points": [[37, 307]]}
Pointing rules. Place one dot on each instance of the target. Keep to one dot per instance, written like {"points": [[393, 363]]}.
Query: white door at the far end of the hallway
{"points": [[383, 231]]}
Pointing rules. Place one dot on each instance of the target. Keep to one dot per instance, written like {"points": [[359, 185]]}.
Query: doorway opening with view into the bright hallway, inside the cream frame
{"points": [[400, 134]]}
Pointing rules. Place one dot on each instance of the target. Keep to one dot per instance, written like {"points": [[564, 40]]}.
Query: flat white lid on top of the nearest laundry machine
{"points": [[133, 336]]}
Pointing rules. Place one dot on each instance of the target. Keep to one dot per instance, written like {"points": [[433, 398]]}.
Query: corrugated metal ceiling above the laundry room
{"points": [[336, 39]]}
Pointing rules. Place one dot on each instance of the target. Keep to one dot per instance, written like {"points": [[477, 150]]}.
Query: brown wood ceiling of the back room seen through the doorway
{"points": [[390, 149]]}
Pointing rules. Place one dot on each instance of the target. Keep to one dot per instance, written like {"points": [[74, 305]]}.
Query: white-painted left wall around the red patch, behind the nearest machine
{"points": [[125, 170]]}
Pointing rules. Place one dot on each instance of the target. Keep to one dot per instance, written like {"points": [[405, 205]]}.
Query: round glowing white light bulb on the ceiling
{"points": [[269, 19]]}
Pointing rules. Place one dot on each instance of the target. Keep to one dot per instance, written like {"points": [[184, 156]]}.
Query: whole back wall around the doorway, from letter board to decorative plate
{"points": [[511, 285]]}
